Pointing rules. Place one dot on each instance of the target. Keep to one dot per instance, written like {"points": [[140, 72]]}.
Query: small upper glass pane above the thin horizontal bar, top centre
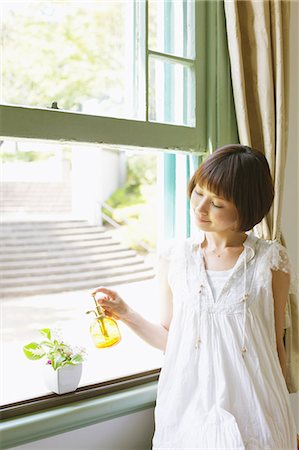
{"points": [[171, 27]]}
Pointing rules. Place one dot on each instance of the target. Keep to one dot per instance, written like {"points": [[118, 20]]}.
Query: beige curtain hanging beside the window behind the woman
{"points": [[258, 40]]}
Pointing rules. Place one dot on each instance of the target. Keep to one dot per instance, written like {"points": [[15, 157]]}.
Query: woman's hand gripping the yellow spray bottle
{"points": [[113, 305]]}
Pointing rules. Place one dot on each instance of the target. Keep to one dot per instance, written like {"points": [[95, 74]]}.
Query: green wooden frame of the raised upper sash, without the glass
{"points": [[24, 122]]}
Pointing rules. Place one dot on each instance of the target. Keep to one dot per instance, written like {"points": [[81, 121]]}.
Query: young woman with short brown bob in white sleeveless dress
{"points": [[223, 296]]}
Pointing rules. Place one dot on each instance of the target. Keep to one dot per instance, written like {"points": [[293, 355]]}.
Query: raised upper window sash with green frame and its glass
{"points": [[122, 72]]}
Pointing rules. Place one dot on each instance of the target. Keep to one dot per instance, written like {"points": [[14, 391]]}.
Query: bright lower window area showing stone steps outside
{"points": [[74, 218]]}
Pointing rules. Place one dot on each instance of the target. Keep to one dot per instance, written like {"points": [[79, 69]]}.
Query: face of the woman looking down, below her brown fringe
{"points": [[213, 213]]}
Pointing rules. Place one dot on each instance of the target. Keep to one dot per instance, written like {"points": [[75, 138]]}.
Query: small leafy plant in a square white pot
{"points": [[63, 368]]}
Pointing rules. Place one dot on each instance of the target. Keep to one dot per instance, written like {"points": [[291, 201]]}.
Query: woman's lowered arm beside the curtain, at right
{"points": [[280, 287]]}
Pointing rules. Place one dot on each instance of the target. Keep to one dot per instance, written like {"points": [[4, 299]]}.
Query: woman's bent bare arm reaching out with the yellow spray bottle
{"points": [[154, 334]]}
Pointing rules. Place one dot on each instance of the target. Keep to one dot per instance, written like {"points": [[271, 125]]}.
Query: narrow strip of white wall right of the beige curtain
{"points": [[290, 212]]}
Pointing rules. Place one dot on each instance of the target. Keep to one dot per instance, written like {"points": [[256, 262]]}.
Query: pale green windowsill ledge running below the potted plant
{"points": [[67, 417]]}
